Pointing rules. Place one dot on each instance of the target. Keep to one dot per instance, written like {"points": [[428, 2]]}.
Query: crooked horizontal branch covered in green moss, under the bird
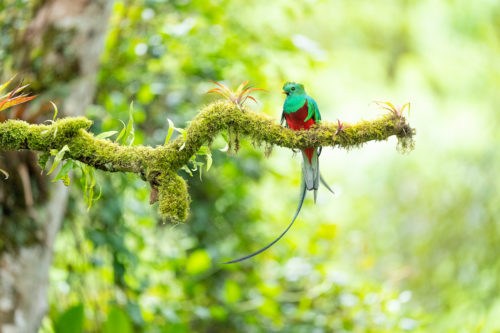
{"points": [[159, 165]]}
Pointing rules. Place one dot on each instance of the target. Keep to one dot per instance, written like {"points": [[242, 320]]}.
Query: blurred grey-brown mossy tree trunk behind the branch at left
{"points": [[59, 53]]}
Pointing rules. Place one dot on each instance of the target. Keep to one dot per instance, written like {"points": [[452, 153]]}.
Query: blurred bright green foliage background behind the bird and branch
{"points": [[409, 242]]}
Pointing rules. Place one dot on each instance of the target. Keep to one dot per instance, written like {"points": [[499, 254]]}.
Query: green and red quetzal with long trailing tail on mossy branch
{"points": [[300, 112]]}
